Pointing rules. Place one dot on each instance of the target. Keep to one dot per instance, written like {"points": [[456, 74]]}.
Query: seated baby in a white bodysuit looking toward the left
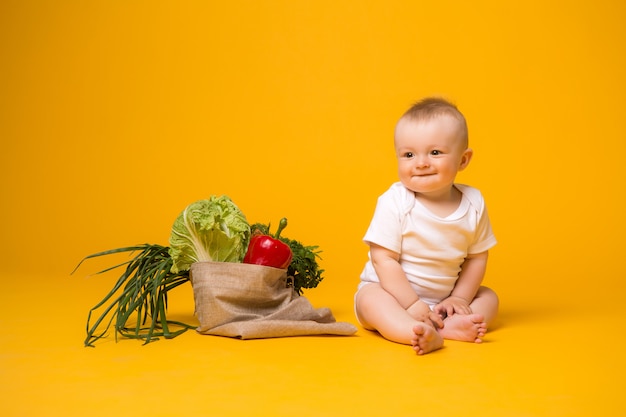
{"points": [[428, 239]]}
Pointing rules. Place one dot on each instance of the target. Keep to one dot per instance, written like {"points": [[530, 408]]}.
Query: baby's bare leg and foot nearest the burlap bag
{"points": [[378, 310]]}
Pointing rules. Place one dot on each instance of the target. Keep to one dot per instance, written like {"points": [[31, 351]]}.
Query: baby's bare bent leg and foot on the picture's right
{"points": [[472, 327]]}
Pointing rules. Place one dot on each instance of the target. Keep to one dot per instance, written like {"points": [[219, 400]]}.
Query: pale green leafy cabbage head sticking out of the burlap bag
{"points": [[214, 229]]}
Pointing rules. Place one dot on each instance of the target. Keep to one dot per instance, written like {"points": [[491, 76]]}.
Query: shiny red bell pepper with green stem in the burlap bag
{"points": [[268, 250]]}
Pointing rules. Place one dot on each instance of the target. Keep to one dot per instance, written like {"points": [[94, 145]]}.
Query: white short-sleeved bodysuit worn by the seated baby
{"points": [[432, 249]]}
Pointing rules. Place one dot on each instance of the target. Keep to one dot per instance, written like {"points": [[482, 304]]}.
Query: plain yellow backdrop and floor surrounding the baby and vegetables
{"points": [[116, 115]]}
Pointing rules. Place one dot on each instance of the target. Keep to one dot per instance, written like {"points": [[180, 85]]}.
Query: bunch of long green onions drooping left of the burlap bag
{"points": [[137, 303]]}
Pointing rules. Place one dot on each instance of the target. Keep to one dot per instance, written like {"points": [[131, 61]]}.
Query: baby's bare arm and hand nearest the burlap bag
{"points": [[393, 280]]}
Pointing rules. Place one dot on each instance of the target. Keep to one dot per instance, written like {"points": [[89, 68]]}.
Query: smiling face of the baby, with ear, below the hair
{"points": [[430, 153]]}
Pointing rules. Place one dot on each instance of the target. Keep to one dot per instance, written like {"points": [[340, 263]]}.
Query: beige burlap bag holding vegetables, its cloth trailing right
{"points": [[253, 301]]}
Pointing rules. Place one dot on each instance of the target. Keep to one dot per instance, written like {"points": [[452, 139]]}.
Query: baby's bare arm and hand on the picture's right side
{"points": [[466, 287]]}
